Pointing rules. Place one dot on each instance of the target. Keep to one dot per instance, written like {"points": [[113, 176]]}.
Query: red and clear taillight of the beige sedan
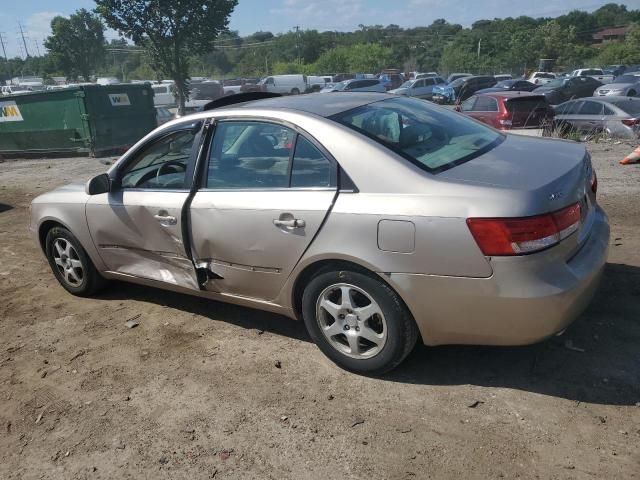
{"points": [[518, 236]]}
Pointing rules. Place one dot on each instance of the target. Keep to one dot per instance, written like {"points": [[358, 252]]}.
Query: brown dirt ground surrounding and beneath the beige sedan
{"points": [[207, 390]]}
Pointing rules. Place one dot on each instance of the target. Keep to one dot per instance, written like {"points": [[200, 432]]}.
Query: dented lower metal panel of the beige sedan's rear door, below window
{"points": [[250, 240]]}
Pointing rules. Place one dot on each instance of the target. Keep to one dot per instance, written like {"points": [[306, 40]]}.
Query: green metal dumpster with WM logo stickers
{"points": [[89, 119]]}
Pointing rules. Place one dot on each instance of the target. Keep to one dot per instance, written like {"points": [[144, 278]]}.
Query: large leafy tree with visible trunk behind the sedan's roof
{"points": [[170, 30]]}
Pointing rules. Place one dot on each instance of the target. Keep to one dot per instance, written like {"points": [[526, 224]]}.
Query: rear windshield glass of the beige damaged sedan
{"points": [[432, 138]]}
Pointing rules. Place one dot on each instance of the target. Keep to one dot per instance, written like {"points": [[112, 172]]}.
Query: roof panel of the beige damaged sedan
{"points": [[316, 103]]}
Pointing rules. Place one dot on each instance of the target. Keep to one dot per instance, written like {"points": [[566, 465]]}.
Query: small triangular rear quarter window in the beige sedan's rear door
{"points": [[310, 167]]}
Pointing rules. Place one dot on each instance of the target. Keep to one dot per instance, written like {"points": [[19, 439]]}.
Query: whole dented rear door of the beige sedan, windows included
{"points": [[265, 195]]}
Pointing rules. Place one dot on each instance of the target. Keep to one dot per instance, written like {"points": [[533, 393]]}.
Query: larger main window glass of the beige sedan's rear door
{"points": [[247, 155]]}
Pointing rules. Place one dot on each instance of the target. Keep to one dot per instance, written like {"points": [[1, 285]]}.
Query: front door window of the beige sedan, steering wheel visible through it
{"points": [[161, 165]]}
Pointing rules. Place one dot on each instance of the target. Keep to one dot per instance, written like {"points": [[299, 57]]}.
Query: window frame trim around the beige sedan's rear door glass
{"points": [[337, 169]]}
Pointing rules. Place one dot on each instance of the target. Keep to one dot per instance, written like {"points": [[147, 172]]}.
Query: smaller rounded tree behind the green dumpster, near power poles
{"points": [[77, 44]]}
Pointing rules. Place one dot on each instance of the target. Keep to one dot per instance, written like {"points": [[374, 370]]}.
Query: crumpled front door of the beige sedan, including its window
{"points": [[138, 226]]}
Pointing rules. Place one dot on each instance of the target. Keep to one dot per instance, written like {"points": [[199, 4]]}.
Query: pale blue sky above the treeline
{"points": [[282, 15]]}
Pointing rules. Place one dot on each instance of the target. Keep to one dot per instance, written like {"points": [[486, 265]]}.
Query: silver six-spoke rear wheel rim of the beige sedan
{"points": [[351, 320]]}
